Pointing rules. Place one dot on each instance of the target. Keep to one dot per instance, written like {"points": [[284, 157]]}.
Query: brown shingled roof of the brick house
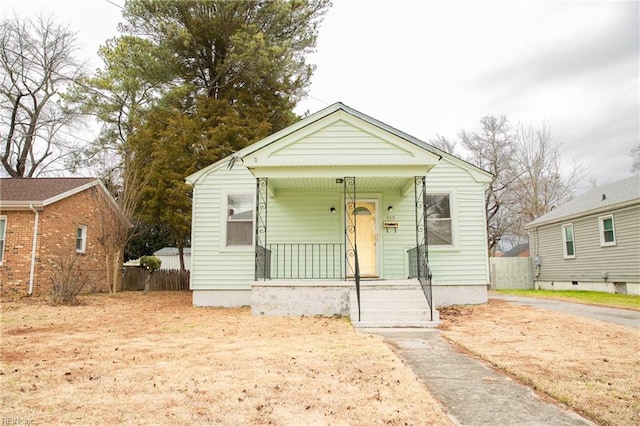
{"points": [[21, 193]]}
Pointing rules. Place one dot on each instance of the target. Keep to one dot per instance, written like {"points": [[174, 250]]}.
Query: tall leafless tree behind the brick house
{"points": [[37, 65]]}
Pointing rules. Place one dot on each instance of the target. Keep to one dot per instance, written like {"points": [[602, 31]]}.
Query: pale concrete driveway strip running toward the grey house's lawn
{"points": [[626, 317]]}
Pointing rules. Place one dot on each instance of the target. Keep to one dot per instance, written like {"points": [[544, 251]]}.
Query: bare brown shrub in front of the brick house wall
{"points": [[68, 281]]}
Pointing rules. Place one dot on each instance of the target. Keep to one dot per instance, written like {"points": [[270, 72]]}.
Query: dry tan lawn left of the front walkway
{"points": [[154, 359]]}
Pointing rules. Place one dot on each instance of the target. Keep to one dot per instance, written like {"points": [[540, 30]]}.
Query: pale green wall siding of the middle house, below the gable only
{"points": [[304, 216]]}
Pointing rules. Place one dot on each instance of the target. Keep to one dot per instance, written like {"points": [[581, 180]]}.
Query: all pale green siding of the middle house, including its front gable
{"points": [[299, 209]]}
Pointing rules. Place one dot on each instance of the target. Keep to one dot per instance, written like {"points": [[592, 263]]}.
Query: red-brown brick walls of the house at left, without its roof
{"points": [[57, 229]]}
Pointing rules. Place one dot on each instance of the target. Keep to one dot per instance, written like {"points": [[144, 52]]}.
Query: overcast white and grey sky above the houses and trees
{"points": [[436, 67]]}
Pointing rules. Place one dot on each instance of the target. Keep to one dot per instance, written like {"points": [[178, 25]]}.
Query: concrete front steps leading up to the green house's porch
{"points": [[391, 306]]}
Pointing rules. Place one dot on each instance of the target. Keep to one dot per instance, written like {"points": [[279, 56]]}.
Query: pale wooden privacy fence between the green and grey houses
{"points": [[515, 273]]}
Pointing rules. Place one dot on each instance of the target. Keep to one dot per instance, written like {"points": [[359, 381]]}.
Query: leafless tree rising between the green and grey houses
{"points": [[528, 176]]}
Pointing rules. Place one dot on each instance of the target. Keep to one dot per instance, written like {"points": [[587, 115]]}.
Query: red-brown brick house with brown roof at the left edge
{"points": [[46, 220]]}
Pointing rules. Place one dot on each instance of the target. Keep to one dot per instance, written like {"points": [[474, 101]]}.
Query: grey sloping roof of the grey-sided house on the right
{"points": [[601, 199]]}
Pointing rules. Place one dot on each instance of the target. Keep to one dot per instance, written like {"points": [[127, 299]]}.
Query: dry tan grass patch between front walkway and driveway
{"points": [[592, 366]]}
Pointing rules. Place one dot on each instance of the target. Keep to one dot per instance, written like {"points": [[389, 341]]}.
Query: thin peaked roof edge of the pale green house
{"points": [[307, 121]]}
